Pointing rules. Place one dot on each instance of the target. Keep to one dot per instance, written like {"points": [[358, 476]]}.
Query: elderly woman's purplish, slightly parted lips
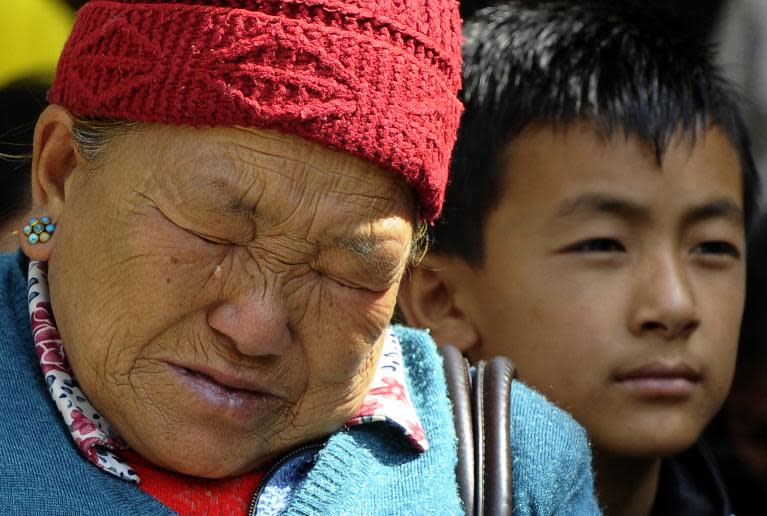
{"points": [[225, 393]]}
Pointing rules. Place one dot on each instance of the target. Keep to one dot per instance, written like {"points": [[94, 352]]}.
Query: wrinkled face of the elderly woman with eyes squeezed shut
{"points": [[223, 293]]}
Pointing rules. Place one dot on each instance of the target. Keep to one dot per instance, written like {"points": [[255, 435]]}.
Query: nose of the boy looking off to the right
{"points": [[664, 302]]}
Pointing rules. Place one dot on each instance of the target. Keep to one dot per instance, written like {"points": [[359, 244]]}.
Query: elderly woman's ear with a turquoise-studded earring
{"points": [[54, 158]]}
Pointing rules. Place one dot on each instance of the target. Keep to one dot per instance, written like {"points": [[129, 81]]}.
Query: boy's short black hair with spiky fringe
{"points": [[560, 61]]}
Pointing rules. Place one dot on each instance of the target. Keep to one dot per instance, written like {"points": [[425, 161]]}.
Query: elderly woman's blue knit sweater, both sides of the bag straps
{"points": [[361, 470]]}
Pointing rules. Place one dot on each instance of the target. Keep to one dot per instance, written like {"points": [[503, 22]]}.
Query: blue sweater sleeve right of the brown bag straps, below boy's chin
{"points": [[551, 458]]}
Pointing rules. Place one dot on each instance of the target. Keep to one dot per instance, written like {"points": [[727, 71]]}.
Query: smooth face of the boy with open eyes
{"points": [[616, 284]]}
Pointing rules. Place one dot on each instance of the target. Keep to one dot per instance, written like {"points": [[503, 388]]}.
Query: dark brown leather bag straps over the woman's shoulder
{"points": [[481, 400]]}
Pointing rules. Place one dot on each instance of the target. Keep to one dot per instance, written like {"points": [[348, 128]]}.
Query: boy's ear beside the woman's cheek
{"points": [[428, 299]]}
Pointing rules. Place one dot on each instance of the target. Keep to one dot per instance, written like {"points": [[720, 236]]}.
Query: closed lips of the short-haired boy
{"points": [[660, 380]]}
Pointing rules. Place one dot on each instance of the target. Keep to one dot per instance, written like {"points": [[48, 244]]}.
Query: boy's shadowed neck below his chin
{"points": [[626, 486]]}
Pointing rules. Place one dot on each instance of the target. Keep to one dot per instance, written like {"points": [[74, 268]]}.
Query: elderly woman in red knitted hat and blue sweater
{"points": [[226, 196]]}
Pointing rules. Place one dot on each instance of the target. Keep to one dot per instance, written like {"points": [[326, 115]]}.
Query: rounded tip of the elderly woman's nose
{"points": [[257, 326]]}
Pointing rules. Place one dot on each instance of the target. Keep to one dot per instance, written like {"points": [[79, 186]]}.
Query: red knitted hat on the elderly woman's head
{"points": [[376, 78]]}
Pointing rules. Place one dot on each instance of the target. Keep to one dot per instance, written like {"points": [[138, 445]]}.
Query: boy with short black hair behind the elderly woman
{"points": [[594, 232]]}
